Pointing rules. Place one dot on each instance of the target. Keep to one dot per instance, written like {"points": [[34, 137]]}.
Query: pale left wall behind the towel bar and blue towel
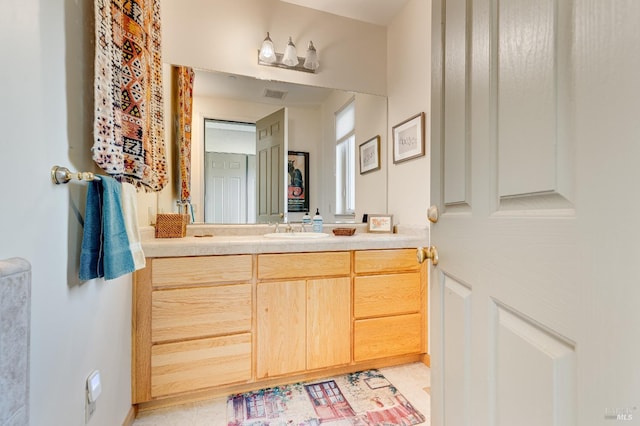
{"points": [[45, 119]]}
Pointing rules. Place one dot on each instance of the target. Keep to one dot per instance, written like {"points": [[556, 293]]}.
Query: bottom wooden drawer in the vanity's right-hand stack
{"points": [[389, 336]]}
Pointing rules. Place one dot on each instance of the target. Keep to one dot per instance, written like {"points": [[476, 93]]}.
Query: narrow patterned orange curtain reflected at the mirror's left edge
{"points": [[184, 77]]}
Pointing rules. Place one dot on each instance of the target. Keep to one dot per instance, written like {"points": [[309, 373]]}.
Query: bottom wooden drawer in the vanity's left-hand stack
{"points": [[198, 364]]}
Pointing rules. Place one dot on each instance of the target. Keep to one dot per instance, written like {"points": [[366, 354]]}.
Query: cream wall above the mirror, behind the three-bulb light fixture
{"points": [[224, 35]]}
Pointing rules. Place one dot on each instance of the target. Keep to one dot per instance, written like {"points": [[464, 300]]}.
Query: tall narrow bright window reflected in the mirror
{"points": [[346, 159]]}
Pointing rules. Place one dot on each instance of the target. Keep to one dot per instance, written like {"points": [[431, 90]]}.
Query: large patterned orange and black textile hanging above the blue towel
{"points": [[129, 119]]}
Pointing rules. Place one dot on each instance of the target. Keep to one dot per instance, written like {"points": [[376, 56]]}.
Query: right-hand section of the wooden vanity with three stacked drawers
{"points": [[389, 304]]}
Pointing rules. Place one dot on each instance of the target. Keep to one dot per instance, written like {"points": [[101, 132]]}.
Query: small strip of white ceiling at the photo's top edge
{"points": [[379, 12]]}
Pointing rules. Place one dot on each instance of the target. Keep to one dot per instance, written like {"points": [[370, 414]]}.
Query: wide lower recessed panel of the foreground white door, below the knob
{"points": [[535, 383]]}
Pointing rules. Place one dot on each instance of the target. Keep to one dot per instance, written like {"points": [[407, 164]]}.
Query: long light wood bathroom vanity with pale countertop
{"points": [[225, 314]]}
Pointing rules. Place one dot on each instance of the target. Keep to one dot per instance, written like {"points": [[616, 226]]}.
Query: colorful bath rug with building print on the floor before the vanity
{"points": [[364, 398]]}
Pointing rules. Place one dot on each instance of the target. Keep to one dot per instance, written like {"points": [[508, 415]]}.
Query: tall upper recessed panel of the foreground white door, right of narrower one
{"points": [[530, 80]]}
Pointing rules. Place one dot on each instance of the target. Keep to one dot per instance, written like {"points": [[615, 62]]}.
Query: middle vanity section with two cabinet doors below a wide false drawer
{"points": [[301, 321]]}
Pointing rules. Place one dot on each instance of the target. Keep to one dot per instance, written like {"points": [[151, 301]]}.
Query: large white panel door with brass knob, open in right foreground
{"points": [[535, 145]]}
